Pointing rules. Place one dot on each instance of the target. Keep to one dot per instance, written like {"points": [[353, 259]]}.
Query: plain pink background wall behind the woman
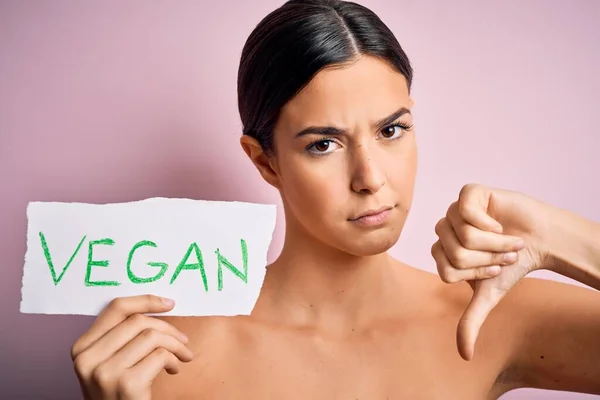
{"points": [[122, 100]]}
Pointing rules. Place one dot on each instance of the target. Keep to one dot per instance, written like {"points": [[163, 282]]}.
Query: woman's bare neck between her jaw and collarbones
{"points": [[312, 285]]}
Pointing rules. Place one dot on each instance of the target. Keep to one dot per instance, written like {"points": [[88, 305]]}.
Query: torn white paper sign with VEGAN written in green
{"points": [[208, 256]]}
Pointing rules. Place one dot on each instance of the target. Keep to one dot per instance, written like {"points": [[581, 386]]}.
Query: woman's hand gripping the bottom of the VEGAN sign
{"points": [[124, 350]]}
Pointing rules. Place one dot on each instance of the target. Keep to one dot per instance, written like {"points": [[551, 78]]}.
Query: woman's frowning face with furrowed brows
{"points": [[344, 146]]}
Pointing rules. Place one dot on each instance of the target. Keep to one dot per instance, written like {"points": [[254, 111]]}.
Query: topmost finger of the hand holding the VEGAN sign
{"points": [[117, 311]]}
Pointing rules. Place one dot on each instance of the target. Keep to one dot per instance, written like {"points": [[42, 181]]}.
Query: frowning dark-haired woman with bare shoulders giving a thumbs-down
{"points": [[324, 97]]}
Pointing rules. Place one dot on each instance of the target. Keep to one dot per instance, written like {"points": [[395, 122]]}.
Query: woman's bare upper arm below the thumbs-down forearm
{"points": [[558, 330]]}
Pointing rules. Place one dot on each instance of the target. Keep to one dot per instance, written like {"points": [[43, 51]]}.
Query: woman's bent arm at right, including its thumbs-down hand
{"points": [[556, 326]]}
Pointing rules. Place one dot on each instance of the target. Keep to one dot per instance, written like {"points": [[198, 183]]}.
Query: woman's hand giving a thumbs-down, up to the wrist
{"points": [[490, 238]]}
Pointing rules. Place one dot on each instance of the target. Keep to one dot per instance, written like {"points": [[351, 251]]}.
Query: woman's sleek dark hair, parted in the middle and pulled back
{"points": [[293, 43]]}
